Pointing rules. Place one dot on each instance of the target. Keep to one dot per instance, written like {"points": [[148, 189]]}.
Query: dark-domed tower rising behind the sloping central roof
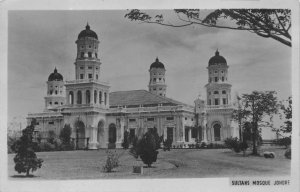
{"points": [[157, 84]]}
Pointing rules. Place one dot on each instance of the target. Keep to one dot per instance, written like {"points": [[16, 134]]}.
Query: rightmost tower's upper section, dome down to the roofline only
{"points": [[218, 89]]}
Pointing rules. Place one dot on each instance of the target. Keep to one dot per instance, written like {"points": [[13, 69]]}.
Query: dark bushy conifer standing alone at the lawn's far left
{"points": [[26, 159]]}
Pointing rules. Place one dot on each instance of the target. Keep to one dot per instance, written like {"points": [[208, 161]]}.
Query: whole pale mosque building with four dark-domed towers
{"points": [[93, 112]]}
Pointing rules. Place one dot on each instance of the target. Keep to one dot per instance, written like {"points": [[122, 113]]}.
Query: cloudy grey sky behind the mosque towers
{"points": [[39, 41]]}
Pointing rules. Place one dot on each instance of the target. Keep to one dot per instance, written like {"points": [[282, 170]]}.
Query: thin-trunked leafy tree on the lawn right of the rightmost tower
{"points": [[254, 107]]}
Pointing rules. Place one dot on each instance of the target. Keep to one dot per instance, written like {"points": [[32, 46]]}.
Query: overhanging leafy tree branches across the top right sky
{"points": [[267, 23]]}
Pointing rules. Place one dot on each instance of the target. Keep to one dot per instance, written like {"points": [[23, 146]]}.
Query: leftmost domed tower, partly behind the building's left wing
{"points": [[55, 91]]}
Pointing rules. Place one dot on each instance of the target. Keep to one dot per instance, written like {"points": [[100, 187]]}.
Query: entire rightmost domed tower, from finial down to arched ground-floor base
{"points": [[218, 109]]}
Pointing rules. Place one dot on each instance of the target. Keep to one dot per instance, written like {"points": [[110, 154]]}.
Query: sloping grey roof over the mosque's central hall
{"points": [[139, 97]]}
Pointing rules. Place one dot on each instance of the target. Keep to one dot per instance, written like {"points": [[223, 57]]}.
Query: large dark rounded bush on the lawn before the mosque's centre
{"points": [[146, 147]]}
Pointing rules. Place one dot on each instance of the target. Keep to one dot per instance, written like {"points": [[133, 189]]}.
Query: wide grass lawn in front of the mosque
{"points": [[177, 163]]}
